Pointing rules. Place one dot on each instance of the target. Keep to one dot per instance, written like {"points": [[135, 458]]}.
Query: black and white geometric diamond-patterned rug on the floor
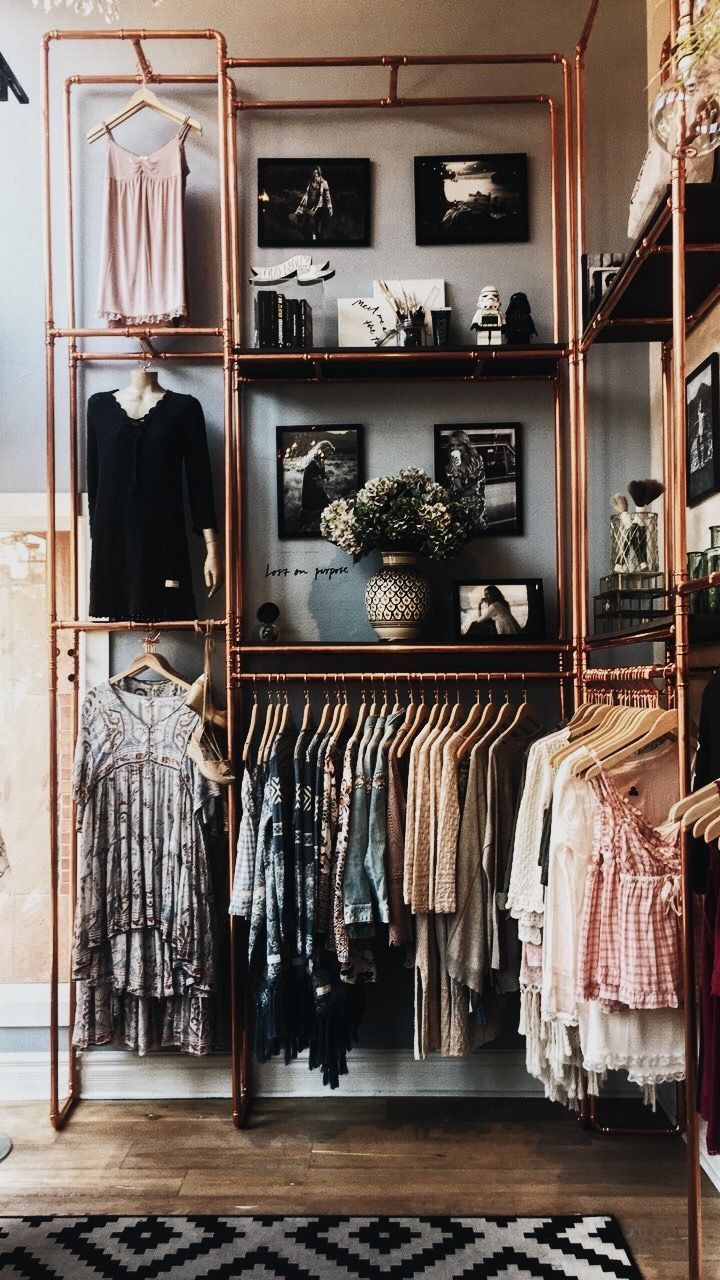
{"points": [[313, 1249]]}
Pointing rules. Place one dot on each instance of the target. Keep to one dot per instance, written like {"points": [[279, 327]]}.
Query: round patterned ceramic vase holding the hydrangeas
{"points": [[398, 600]]}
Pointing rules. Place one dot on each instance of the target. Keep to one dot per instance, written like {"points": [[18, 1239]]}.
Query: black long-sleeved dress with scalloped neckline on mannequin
{"points": [[140, 568]]}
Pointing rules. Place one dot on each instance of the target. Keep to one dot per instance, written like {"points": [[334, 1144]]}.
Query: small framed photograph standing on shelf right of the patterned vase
{"points": [[490, 611]]}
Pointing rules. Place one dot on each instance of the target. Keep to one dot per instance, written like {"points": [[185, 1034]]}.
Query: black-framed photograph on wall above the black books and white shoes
{"points": [[313, 203]]}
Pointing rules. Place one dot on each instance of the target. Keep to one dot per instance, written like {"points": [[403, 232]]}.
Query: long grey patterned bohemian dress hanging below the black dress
{"points": [[144, 953]]}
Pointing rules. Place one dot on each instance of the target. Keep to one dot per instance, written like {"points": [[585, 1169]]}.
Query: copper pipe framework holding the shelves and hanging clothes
{"points": [[563, 365]]}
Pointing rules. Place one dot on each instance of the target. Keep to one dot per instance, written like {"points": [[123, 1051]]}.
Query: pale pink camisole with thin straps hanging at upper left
{"points": [[143, 258]]}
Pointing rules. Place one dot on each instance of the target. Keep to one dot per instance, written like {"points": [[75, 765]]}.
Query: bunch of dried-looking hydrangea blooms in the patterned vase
{"points": [[408, 513]]}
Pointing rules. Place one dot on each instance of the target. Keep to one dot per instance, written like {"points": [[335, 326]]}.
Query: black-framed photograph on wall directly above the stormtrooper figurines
{"points": [[472, 200]]}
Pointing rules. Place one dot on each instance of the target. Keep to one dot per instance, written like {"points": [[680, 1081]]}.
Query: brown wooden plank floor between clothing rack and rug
{"points": [[356, 1156]]}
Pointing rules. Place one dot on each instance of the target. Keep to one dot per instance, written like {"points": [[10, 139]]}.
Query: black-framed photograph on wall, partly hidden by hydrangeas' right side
{"points": [[481, 465]]}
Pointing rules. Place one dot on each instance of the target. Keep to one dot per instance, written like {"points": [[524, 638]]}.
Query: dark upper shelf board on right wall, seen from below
{"points": [[639, 305]]}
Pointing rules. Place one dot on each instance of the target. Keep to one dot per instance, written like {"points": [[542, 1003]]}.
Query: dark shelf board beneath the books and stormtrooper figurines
{"points": [[367, 364]]}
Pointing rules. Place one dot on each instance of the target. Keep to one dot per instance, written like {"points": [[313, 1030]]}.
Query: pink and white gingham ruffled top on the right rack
{"points": [[631, 930]]}
